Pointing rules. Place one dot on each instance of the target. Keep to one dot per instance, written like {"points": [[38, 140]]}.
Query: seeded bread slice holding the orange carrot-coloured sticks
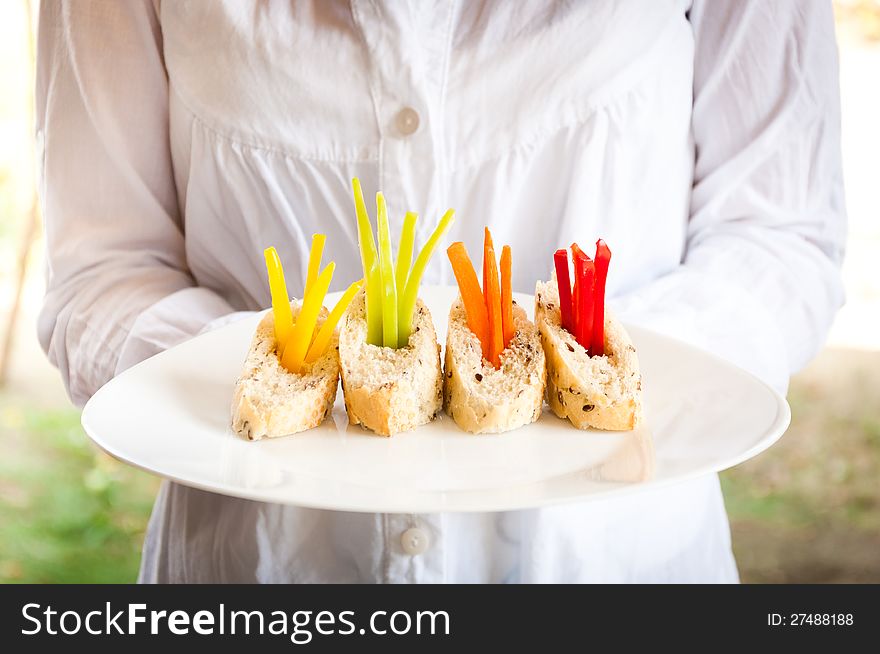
{"points": [[481, 399]]}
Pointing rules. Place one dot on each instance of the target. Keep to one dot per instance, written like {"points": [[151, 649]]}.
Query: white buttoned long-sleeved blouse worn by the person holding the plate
{"points": [[178, 139]]}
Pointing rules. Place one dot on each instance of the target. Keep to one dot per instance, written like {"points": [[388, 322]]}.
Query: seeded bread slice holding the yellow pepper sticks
{"points": [[269, 401]]}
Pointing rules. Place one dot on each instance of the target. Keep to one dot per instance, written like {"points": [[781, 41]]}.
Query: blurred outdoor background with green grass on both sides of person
{"points": [[808, 510]]}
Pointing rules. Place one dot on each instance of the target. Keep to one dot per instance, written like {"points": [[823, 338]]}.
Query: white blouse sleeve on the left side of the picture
{"points": [[118, 288]]}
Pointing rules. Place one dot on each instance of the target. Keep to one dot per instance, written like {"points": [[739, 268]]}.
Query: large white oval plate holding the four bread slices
{"points": [[170, 415]]}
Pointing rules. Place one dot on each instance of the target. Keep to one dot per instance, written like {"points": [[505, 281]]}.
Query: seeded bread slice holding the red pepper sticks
{"points": [[592, 392]]}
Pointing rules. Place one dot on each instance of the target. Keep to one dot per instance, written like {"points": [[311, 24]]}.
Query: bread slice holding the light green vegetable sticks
{"points": [[390, 391]]}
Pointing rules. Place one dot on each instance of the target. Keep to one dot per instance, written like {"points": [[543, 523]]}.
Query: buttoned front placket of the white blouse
{"points": [[408, 55]]}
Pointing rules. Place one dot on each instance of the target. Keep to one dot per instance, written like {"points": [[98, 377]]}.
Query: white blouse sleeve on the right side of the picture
{"points": [[760, 281]]}
